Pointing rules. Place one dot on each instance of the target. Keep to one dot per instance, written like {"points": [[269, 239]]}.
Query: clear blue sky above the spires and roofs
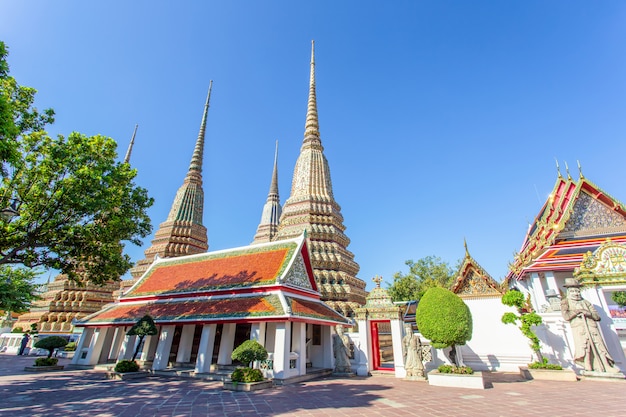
{"points": [[441, 120]]}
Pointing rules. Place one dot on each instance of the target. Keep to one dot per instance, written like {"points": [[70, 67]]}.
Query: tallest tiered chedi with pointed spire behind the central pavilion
{"points": [[312, 207]]}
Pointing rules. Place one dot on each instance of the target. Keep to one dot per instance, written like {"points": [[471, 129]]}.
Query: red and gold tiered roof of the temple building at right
{"points": [[578, 215]]}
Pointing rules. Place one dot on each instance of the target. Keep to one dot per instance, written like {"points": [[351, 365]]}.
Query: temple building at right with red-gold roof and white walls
{"points": [[580, 232]]}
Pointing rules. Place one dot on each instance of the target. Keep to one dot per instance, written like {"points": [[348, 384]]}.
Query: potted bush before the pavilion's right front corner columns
{"points": [[248, 378]]}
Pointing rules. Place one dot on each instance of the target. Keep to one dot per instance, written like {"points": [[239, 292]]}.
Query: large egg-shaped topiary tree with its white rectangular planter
{"points": [[443, 318]]}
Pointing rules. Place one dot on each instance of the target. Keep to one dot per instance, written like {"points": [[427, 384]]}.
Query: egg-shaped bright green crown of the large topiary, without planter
{"points": [[443, 318]]}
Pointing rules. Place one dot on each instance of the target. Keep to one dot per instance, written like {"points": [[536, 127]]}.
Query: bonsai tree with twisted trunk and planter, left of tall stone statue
{"points": [[527, 318]]}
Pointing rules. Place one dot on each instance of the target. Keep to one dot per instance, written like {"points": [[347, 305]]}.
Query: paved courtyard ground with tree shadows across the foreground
{"points": [[88, 393]]}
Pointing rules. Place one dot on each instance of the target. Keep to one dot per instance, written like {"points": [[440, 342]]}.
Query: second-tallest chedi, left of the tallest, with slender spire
{"points": [[182, 233]]}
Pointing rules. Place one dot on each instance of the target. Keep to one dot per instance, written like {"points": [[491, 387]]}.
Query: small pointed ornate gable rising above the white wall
{"points": [[473, 281]]}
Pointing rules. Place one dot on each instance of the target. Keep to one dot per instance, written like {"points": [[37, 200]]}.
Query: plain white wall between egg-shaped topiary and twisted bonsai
{"points": [[494, 345]]}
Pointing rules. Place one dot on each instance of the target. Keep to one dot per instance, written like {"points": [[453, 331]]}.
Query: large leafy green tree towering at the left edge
{"points": [[76, 203]]}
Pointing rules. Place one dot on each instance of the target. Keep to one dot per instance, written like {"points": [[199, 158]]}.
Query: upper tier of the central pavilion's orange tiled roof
{"points": [[275, 263]]}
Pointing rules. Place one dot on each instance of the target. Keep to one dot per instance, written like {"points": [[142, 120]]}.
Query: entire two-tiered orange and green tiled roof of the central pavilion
{"points": [[271, 281]]}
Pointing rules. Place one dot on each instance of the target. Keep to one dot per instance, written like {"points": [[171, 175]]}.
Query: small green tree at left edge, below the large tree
{"points": [[17, 288]]}
